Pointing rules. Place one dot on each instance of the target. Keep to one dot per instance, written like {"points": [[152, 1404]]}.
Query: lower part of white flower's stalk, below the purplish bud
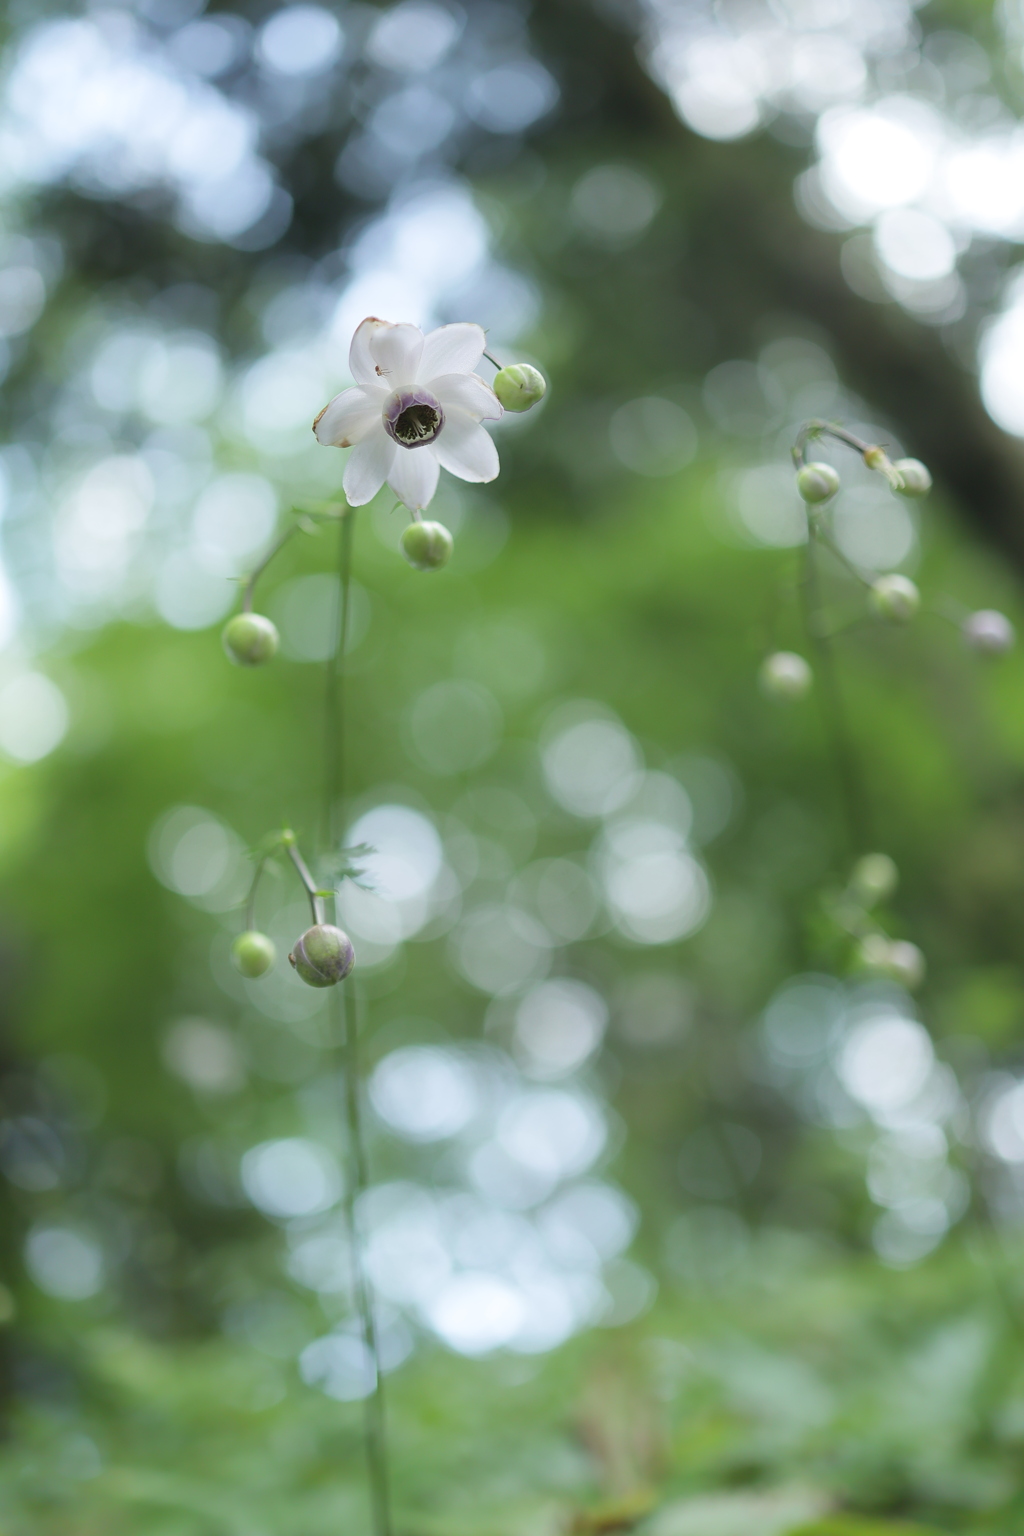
{"points": [[349, 1025]]}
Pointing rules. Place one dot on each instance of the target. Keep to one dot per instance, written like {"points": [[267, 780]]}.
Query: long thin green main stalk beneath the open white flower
{"points": [[348, 1025]]}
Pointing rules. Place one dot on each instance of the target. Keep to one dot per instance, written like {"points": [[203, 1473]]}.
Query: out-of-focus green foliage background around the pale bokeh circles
{"points": [[787, 1382]]}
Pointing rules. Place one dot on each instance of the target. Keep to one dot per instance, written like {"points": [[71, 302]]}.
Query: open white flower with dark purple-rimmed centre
{"points": [[417, 408]]}
